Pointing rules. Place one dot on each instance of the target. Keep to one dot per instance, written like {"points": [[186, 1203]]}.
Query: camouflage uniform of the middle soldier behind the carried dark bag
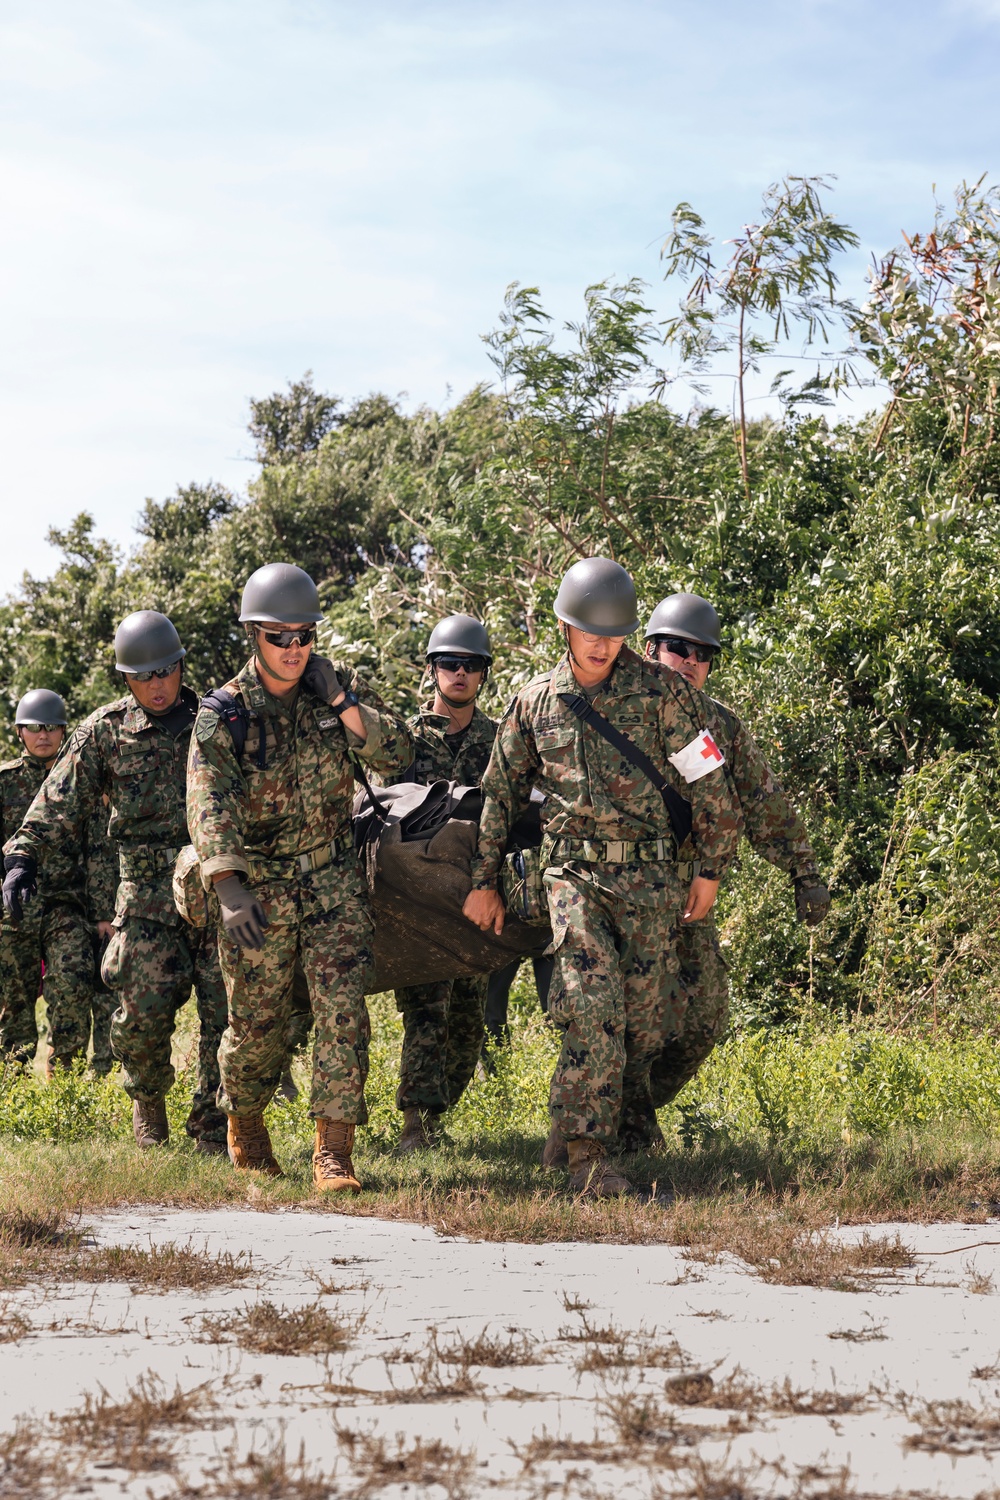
{"points": [[445, 1022]]}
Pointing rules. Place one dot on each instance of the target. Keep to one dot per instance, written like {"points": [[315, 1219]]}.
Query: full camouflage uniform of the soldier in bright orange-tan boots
{"points": [[281, 817]]}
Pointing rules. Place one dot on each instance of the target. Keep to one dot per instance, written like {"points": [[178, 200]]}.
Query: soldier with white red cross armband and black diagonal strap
{"points": [[612, 823]]}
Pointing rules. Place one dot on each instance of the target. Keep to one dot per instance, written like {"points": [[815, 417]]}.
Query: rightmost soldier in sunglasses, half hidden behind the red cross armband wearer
{"points": [[684, 637]]}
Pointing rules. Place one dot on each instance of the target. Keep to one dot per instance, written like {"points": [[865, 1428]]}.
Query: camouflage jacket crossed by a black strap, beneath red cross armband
{"points": [[590, 791]]}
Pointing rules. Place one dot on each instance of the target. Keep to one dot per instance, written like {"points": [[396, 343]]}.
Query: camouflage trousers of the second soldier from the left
{"points": [[151, 970]]}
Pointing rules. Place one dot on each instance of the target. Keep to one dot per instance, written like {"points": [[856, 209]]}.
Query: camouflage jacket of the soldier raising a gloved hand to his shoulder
{"points": [[293, 794]]}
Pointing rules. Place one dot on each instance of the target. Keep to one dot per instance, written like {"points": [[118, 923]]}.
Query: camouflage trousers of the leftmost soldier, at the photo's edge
{"points": [[64, 943]]}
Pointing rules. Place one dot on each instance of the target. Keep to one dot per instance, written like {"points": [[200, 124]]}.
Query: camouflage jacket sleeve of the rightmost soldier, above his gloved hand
{"points": [[768, 820]]}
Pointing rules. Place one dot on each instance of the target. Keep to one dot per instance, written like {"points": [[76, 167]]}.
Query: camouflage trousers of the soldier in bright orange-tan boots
{"points": [[323, 925]]}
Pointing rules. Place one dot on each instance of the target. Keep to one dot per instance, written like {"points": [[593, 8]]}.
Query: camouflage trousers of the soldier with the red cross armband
{"points": [[614, 991]]}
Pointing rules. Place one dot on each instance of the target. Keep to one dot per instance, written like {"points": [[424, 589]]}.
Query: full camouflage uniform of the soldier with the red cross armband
{"points": [[612, 877]]}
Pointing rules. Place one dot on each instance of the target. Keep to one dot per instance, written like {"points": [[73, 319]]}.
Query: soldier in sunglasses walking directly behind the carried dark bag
{"points": [[443, 1024]]}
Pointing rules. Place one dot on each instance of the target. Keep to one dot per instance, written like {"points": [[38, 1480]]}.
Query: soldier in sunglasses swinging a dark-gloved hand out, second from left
{"points": [[136, 751]]}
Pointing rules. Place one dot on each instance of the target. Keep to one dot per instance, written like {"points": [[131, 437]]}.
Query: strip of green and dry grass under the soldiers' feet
{"points": [[806, 1129]]}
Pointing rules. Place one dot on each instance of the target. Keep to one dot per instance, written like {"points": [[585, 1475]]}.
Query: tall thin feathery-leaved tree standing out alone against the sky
{"points": [[779, 274]]}
